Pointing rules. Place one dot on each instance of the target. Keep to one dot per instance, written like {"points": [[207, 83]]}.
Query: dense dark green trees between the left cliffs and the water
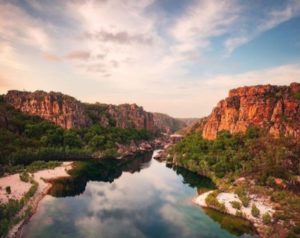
{"points": [[25, 139]]}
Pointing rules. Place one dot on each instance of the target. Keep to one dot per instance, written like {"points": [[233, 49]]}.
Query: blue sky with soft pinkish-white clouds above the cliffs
{"points": [[172, 56]]}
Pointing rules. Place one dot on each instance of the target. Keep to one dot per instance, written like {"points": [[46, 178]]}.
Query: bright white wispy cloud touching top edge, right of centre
{"points": [[202, 21]]}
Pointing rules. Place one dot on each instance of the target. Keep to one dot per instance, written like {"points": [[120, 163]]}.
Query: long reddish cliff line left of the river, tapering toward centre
{"points": [[68, 112]]}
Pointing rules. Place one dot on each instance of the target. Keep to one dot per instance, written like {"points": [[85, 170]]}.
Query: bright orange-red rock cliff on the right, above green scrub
{"points": [[275, 108]]}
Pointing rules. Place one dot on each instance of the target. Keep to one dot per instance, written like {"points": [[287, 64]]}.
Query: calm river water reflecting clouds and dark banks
{"points": [[140, 197]]}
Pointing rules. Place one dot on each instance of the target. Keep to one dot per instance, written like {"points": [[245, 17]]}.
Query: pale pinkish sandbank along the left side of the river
{"points": [[19, 188]]}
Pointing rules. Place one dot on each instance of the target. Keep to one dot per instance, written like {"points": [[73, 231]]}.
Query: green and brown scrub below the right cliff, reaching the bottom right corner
{"points": [[270, 166]]}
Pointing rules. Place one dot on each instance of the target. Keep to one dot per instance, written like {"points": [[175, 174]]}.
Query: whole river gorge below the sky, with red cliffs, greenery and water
{"points": [[247, 148]]}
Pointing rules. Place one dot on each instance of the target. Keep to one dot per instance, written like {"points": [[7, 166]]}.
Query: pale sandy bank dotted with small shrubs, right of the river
{"points": [[226, 198]]}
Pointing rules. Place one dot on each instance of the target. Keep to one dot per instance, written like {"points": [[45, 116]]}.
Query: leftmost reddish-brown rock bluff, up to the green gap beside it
{"points": [[61, 109]]}
